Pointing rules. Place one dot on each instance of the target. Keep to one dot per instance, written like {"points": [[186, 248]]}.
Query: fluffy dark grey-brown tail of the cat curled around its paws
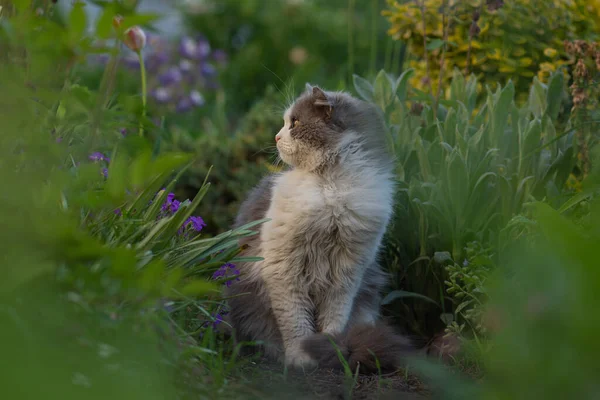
{"points": [[375, 348]]}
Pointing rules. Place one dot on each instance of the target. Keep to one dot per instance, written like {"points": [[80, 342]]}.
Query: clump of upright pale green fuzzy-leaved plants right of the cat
{"points": [[464, 172]]}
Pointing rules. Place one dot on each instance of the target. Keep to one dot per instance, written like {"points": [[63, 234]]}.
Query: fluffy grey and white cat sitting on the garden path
{"points": [[328, 213]]}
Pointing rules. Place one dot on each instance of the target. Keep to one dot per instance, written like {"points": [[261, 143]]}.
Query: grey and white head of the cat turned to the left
{"points": [[320, 127]]}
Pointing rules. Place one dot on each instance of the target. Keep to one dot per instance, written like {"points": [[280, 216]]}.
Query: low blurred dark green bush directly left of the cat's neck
{"points": [[237, 160]]}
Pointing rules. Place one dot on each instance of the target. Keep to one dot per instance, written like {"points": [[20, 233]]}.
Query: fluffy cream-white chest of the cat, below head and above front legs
{"points": [[326, 222]]}
